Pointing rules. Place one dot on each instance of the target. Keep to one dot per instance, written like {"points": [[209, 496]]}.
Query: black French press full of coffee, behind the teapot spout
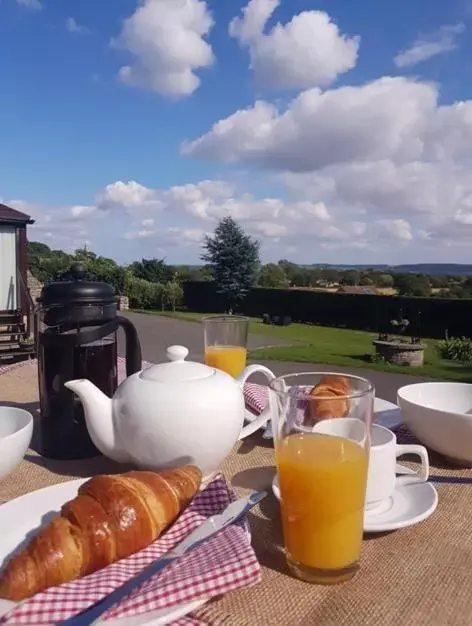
{"points": [[77, 339]]}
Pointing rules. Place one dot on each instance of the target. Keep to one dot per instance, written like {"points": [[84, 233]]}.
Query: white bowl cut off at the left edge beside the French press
{"points": [[16, 430]]}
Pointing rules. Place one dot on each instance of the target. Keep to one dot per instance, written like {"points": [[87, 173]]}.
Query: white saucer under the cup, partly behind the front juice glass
{"points": [[407, 506]]}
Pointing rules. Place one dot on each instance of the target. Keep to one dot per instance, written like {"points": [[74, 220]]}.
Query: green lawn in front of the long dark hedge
{"points": [[336, 346]]}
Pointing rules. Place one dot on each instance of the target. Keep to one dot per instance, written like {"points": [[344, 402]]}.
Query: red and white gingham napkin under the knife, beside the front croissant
{"points": [[224, 563]]}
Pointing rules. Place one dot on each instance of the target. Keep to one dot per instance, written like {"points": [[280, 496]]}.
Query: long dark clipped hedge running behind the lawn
{"points": [[429, 317]]}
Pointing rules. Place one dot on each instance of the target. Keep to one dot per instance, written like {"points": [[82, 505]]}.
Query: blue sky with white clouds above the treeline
{"points": [[332, 131]]}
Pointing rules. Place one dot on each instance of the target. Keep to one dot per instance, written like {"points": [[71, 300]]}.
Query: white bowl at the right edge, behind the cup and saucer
{"points": [[440, 416]]}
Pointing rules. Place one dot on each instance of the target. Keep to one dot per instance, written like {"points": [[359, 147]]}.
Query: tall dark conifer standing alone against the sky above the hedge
{"points": [[234, 257]]}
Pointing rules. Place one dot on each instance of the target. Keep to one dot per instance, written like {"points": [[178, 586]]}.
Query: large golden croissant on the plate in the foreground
{"points": [[112, 517]]}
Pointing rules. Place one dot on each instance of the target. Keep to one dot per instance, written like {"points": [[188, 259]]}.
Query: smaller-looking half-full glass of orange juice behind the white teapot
{"points": [[226, 342]]}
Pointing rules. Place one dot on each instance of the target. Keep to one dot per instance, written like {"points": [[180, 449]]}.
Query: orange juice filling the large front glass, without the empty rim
{"points": [[322, 485]]}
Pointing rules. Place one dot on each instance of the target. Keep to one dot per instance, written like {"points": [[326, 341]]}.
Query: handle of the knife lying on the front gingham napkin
{"points": [[87, 617]]}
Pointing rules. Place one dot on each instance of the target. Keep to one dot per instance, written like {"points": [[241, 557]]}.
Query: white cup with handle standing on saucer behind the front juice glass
{"points": [[384, 452]]}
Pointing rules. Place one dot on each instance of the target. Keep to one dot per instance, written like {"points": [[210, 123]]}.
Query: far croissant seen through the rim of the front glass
{"points": [[332, 402]]}
